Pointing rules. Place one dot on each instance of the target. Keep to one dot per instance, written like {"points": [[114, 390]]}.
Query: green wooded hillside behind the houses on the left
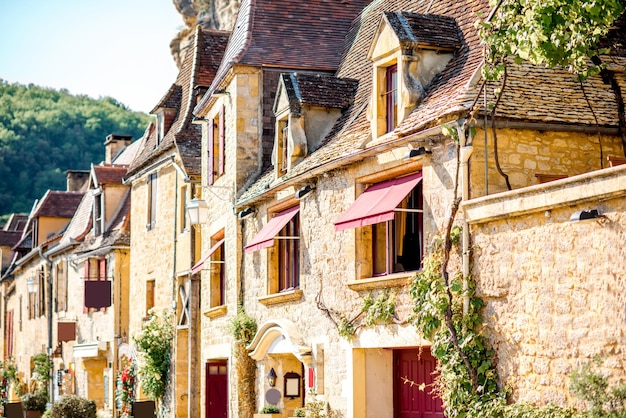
{"points": [[44, 132]]}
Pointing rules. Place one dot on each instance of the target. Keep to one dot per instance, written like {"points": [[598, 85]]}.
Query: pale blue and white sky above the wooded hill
{"points": [[99, 48]]}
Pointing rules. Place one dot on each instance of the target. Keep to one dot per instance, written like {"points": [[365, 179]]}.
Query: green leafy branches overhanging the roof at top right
{"points": [[549, 32]]}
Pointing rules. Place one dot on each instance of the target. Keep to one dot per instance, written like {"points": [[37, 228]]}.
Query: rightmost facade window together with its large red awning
{"points": [[389, 215]]}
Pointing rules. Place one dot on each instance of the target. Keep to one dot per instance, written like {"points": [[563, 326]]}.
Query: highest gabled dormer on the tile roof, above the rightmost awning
{"points": [[408, 51]]}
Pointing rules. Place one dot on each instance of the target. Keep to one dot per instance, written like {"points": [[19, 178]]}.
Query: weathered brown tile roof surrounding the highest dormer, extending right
{"points": [[532, 94]]}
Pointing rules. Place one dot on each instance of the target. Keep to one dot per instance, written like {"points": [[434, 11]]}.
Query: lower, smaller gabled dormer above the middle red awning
{"points": [[306, 108]]}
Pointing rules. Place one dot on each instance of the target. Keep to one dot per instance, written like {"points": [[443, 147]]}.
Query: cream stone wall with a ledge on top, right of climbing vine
{"points": [[553, 288]]}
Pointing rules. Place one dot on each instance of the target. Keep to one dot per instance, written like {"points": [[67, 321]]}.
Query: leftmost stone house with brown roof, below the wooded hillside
{"points": [[27, 283]]}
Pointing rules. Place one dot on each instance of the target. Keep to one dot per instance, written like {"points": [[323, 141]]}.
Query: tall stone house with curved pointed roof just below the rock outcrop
{"points": [[164, 247]]}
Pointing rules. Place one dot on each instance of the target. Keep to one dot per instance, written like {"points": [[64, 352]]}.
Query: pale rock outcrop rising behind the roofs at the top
{"points": [[210, 14]]}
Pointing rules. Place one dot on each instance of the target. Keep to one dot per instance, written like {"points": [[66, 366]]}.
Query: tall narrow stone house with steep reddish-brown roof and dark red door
{"points": [[238, 136]]}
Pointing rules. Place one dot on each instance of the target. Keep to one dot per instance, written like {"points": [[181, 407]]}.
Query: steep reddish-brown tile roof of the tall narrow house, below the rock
{"points": [[287, 34]]}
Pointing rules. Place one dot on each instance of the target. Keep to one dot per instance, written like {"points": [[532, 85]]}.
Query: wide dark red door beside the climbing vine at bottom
{"points": [[415, 366]]}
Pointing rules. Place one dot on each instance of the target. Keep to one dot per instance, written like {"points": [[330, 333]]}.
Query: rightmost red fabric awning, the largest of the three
{"points": [[377, 203]]}
